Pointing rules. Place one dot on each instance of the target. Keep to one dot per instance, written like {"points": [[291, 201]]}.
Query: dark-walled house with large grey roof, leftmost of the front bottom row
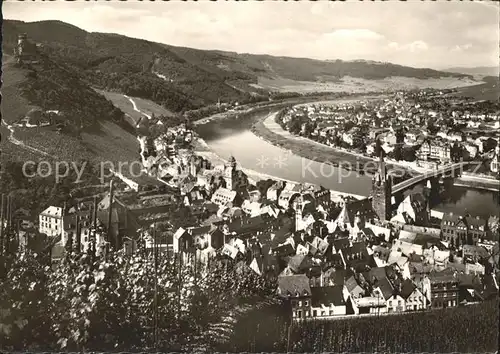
{"points": [[296, 291]]}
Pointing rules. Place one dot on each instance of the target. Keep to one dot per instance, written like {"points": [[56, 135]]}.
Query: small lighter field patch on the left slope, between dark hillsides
{"points": [[146, 106]]}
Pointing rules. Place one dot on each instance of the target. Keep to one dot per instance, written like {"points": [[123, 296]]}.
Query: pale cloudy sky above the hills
{"points": [[414, 33]]}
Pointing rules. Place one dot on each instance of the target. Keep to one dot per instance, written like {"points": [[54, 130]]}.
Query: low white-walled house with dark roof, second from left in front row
{"points": [[327, 302]]}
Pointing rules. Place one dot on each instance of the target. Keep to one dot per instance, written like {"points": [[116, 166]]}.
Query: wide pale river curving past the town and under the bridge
{"points": [[228, 137]]}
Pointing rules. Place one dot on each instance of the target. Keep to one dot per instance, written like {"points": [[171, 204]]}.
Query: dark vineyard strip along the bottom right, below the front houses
{"points": [[464, 329]]}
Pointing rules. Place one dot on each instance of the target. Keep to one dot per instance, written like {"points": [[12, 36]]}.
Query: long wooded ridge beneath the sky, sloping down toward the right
{"points": [[182, 79]]}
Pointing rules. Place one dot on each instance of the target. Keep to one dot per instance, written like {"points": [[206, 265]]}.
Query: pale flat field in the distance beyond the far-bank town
{"points": [[352, 84]]}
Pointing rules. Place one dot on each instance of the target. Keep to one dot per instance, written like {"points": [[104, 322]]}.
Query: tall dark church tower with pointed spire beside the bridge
{"points": [[381, 192]]}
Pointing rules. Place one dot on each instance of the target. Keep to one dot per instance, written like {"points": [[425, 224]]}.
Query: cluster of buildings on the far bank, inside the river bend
{"points": [[426, 124]]}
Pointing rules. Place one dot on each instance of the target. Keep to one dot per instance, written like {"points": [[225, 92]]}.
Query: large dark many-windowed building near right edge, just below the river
{"points": [[460, 230]]}
